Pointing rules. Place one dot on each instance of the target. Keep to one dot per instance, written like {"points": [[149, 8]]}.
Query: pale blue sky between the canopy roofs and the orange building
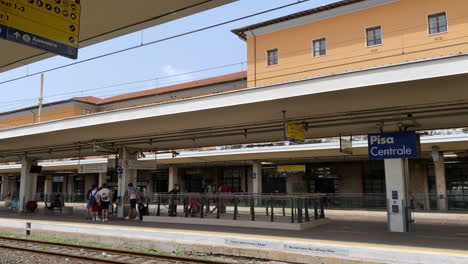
{"points": [[149, 66]]}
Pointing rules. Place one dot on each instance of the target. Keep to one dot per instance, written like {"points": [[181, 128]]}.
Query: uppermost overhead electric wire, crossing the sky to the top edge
{"points": [[157, 41]]}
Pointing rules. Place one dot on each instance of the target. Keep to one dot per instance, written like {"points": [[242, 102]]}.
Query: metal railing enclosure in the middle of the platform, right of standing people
{"points": [[241, 206]]}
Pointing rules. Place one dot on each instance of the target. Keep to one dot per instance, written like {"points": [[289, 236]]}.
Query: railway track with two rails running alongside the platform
{"points": [[95, 254]]}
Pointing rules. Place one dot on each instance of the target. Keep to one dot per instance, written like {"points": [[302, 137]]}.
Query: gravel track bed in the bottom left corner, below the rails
{"points": [[8, 256]]}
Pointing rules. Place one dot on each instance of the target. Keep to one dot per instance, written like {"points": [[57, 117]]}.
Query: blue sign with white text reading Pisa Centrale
{"points": [[398, 145]]}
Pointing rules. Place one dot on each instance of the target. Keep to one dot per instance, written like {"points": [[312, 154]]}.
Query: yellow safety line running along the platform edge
{"points": [[214, 233]]}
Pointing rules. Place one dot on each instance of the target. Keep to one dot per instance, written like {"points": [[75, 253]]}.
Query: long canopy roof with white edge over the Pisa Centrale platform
{"points": [[353, 103]]}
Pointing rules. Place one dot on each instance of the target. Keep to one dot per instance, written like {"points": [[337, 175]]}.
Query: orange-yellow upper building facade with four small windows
{"points": [[353, 35]]}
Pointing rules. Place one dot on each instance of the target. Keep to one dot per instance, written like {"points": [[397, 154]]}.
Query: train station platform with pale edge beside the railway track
{"points": [[364, 240]]}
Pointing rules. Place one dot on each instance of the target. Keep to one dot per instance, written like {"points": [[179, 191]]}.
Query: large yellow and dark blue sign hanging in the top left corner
{"points": [[50, 25]]}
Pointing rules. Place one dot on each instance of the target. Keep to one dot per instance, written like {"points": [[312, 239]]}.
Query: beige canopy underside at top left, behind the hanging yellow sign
{"points": [[107, 19]]}
